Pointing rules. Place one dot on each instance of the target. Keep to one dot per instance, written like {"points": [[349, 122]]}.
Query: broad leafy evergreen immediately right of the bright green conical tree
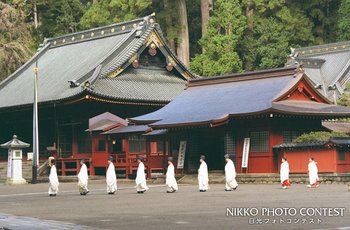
{"points": [[273, 28]]}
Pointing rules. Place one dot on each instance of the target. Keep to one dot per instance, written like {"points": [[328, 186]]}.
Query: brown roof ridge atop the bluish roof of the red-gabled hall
{"points": [[238, 77]]}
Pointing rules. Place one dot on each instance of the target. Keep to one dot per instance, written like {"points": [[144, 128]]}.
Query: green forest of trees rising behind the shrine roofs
{"points": [[213, 37]]}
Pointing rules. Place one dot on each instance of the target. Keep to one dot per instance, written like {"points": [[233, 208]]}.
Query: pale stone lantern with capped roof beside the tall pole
{"points": [[14, 164]]}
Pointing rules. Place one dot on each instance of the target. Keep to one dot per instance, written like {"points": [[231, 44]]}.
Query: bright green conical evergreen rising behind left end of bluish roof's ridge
{"points": [[225, 30]]}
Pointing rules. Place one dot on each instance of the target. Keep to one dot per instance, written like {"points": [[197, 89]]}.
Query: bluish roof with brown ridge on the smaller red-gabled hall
{"points": [[215, 100]]}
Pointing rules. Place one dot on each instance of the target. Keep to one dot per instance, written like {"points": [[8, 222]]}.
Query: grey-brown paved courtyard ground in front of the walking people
{"points": [[29, 207]]}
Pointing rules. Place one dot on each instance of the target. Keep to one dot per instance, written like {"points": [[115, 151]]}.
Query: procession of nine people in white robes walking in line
{"points": [[170, 182]]}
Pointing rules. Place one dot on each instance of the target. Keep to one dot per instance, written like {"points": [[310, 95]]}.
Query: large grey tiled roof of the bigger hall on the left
{"points": [[67, 63]]}
